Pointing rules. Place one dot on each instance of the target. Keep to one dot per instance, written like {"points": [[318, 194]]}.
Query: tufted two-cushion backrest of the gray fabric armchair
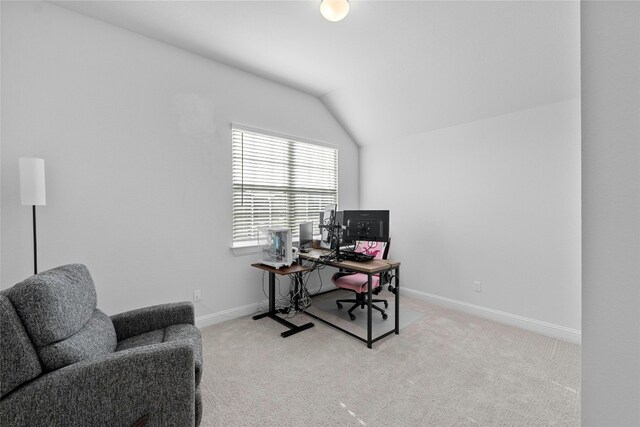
{"points": [[57, 309]]}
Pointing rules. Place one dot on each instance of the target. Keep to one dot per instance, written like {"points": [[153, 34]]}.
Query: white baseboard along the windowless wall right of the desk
{"points": [[544, 328]]}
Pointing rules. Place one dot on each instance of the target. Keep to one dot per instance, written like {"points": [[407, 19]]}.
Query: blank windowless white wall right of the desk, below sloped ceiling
{"points": [[495, 201]]}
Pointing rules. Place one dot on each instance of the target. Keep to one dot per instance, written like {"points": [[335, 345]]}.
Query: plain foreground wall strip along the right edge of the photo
{"points": [[611, 213]]}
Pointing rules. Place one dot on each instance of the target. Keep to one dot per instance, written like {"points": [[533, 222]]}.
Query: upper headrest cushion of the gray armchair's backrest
{"points": [[54, 304]]}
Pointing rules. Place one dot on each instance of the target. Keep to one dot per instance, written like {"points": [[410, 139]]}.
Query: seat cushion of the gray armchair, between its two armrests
{"points": [[185, 332]]}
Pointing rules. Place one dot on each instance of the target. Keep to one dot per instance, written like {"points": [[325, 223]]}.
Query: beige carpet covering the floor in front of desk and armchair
{"points": [[445, 369]]}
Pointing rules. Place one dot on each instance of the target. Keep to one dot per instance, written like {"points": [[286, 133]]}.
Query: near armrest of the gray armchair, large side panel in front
{"points": [[155, 381]]}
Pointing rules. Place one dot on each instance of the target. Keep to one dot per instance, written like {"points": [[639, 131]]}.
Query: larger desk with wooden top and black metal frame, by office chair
{"points": [[376, 266]]}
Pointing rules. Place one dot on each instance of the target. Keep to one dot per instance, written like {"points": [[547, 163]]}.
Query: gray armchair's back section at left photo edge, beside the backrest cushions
{"points": [[18, 359]]}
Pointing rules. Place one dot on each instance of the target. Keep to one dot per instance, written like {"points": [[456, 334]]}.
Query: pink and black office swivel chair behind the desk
{"points": [[357, 282]]}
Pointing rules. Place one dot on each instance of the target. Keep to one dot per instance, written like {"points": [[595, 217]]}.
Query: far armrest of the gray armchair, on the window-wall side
{"points": [[139, 321]]}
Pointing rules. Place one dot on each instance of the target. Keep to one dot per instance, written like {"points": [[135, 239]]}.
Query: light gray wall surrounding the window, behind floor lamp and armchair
{"points": [[137, 146]]}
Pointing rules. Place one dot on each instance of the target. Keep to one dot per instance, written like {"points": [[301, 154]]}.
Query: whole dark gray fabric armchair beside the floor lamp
{"points": [[63, 362]]}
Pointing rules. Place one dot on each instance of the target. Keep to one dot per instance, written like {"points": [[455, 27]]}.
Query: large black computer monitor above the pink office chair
{"points": [[372, 226]]}
